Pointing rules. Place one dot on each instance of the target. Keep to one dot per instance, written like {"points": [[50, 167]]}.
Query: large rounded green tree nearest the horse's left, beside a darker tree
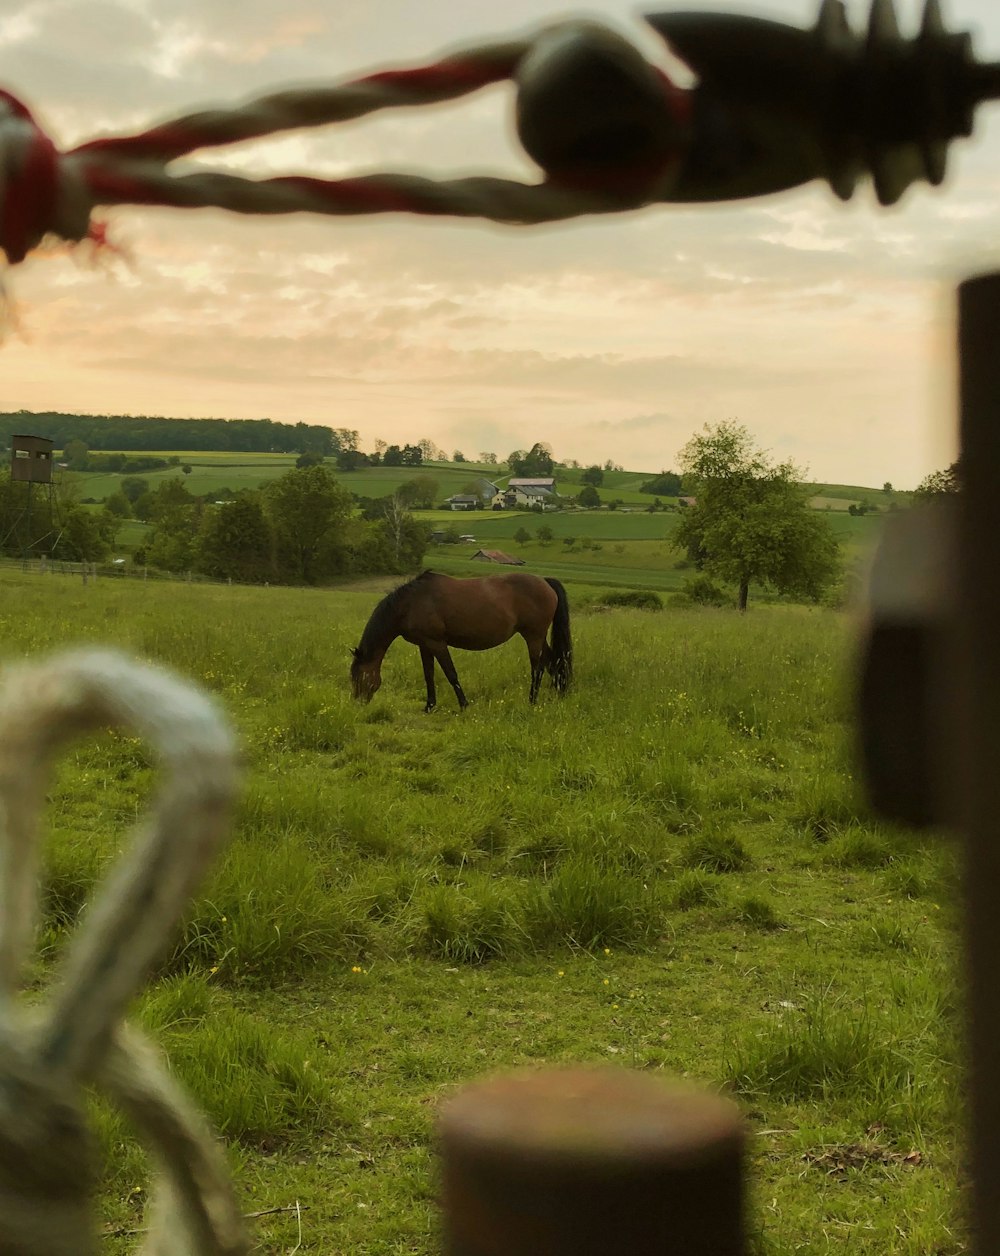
{"points": [[308, 512]]}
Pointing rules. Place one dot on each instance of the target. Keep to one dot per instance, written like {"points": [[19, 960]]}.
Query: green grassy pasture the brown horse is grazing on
{"points": [[669, 870]]}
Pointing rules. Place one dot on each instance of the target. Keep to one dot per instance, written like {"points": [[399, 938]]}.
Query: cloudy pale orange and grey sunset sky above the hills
{"points": [[826, 328]]}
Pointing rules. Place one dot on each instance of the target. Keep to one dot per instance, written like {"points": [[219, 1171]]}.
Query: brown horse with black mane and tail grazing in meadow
{"points": [[438, 611]]}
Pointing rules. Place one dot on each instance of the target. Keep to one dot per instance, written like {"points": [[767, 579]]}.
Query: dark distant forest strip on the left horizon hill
{"points": [[154, 433]]}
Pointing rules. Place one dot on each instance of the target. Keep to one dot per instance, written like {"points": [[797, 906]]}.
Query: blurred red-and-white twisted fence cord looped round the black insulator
{"points": [[55, 193]]}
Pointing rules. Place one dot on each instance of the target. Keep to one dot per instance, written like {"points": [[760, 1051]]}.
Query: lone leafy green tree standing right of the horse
{"points": [[752, 523]]}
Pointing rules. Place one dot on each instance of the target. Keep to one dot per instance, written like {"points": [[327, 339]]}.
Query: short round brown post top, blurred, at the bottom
{"points": [[591, 1162]]}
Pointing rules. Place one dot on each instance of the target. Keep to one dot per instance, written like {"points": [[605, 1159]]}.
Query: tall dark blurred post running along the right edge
{"points": [[978, 730]]}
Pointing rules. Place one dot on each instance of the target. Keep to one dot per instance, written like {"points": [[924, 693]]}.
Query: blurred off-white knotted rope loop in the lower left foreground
{"points": [[45, 1160]]}
